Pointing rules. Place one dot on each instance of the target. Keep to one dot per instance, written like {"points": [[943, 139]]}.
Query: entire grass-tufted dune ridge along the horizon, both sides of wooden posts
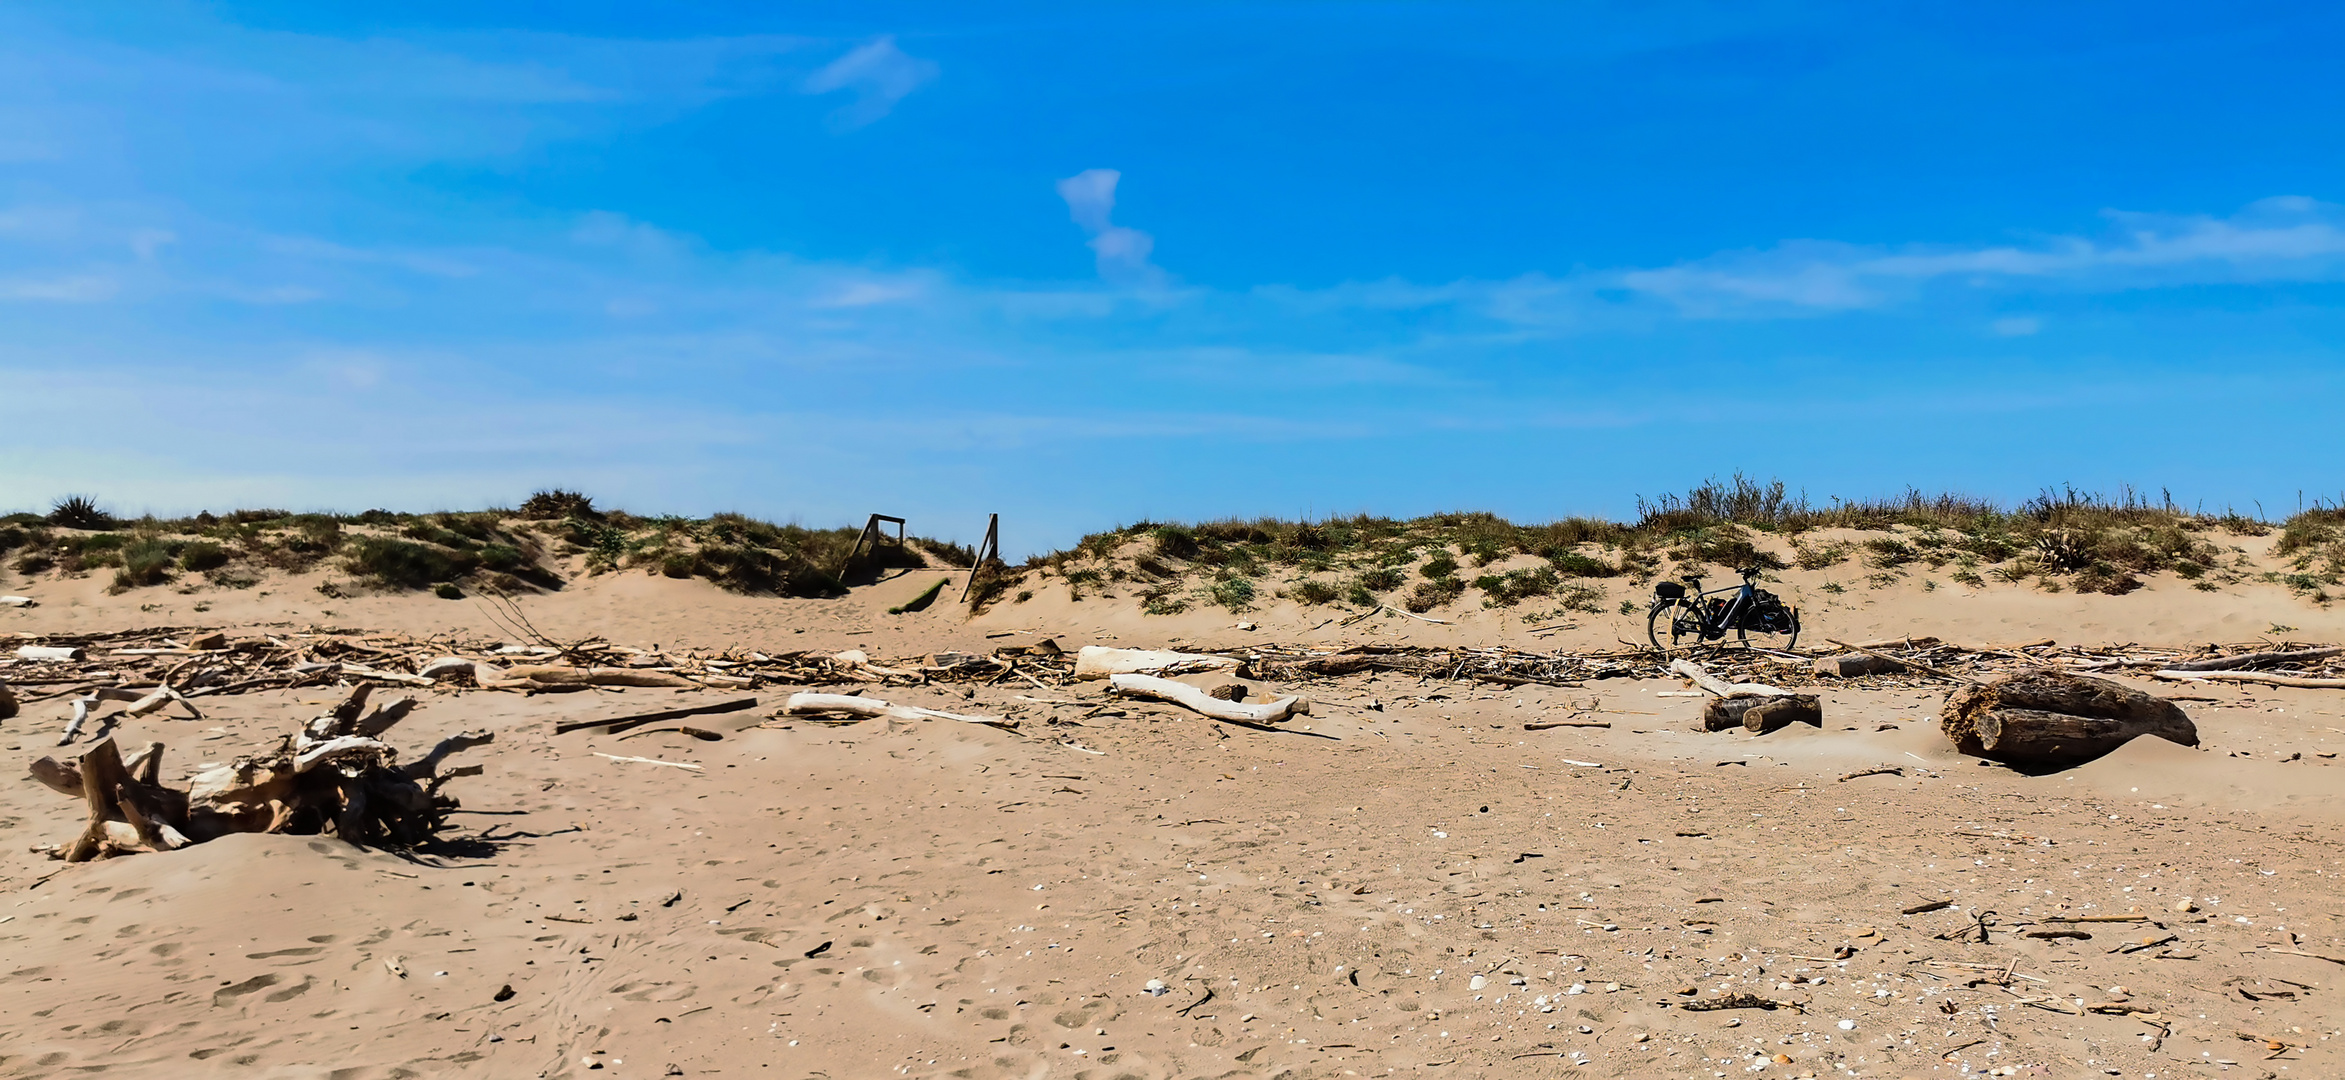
{"points": [[2062, 540]]}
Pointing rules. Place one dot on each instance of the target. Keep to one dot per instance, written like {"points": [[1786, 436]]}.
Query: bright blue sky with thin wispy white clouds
{"points": [[1087, 266]]}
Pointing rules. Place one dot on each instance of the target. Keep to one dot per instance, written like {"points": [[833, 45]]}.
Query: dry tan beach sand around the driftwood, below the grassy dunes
{"points": [[1408, 884]]}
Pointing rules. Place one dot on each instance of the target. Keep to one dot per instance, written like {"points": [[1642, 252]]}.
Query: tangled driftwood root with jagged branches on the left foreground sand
{"points": [[334, 777]]}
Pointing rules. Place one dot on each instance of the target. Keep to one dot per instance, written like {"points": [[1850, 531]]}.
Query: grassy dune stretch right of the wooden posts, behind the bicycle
{"points": [[2062, 540]]}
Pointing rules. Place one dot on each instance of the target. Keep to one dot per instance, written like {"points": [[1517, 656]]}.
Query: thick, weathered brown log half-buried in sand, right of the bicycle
{"points": [[2058, 720]]}
